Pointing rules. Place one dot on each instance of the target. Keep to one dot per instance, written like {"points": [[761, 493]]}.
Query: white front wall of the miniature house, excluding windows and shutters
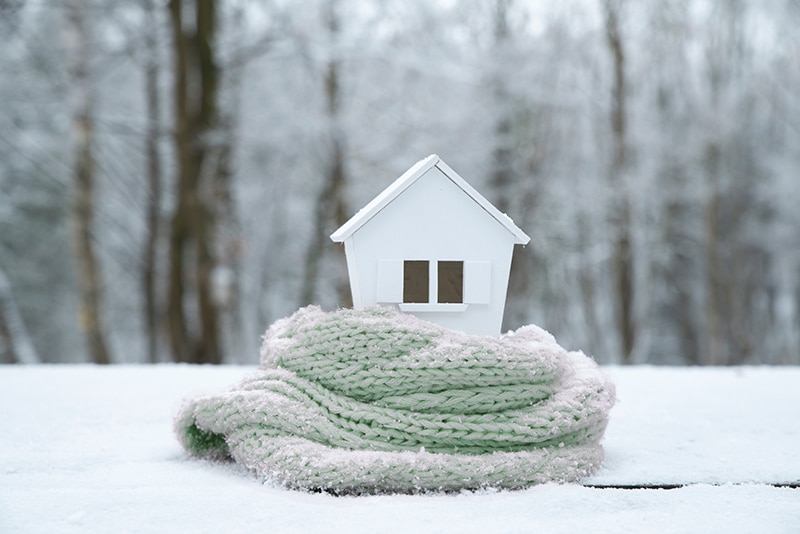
{"points": [[434, 220]]}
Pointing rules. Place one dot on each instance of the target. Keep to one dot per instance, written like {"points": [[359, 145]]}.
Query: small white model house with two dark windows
{"points": [[433, 246]]}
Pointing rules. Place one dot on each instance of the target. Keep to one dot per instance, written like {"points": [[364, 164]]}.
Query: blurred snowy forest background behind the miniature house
{"points": [[170, 170]]}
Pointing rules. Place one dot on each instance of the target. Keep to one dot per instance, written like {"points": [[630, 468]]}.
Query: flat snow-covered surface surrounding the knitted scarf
{"points": [[90, 449]]}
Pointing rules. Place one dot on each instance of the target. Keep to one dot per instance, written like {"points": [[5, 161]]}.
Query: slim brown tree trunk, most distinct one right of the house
{"points": [[622, 263]]}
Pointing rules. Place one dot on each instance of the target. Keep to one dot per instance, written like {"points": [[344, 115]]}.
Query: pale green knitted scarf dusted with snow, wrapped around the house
{"points": [[374, 401]]}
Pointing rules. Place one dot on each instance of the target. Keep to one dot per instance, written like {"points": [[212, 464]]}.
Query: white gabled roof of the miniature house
{"points": [[405, 181]]}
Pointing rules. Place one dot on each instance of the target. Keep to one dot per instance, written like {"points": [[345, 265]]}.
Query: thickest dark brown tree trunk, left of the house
{"points": [[194, 337]]}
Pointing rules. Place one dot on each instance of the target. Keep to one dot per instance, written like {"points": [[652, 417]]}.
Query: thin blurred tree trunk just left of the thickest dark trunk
{"points": [[154, 180]]}
